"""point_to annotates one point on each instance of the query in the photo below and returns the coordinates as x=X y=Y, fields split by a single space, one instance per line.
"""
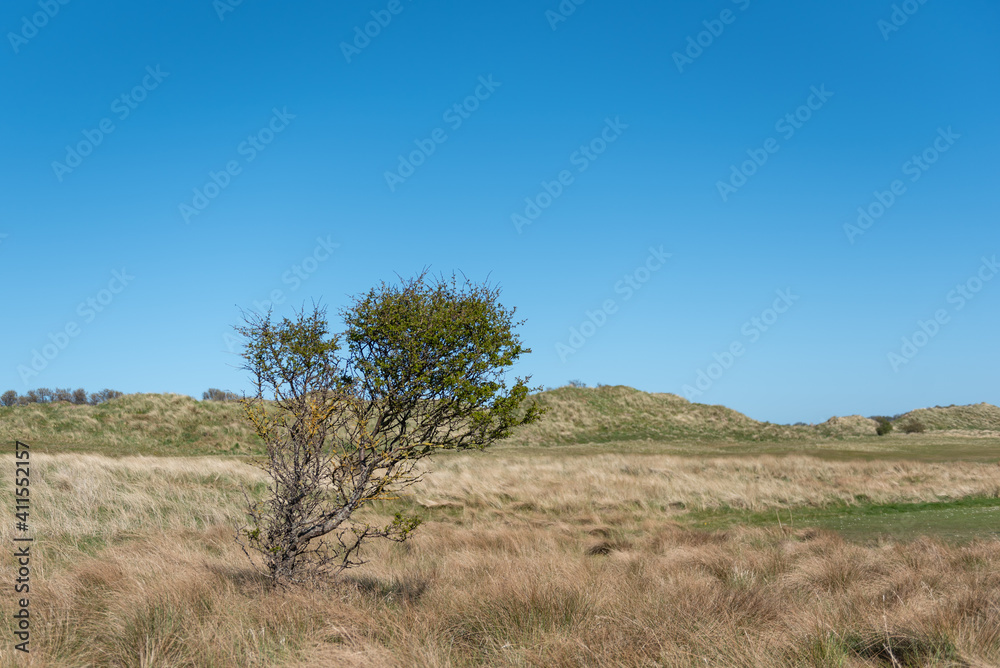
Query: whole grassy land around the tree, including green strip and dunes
x=802 y=548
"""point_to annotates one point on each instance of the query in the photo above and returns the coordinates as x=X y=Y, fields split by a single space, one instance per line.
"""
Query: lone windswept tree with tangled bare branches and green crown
x=346 y=418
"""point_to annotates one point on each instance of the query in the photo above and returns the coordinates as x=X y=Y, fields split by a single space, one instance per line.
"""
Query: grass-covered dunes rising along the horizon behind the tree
x=172 y=424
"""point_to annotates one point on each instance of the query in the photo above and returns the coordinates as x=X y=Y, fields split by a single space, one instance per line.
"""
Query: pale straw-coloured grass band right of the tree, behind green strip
x=557 y=484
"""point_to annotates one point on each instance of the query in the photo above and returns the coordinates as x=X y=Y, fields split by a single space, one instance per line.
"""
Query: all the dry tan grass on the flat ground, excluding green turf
x=542 y=561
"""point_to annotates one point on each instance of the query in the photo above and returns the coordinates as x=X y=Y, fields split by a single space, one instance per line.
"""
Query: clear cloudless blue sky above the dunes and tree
x=666 y=172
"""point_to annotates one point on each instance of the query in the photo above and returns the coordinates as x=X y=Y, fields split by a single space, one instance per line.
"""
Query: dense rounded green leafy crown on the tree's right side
x=439 y=349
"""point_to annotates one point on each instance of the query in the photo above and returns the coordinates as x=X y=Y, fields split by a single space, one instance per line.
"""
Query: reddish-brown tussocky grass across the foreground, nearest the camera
x=743 y=598
